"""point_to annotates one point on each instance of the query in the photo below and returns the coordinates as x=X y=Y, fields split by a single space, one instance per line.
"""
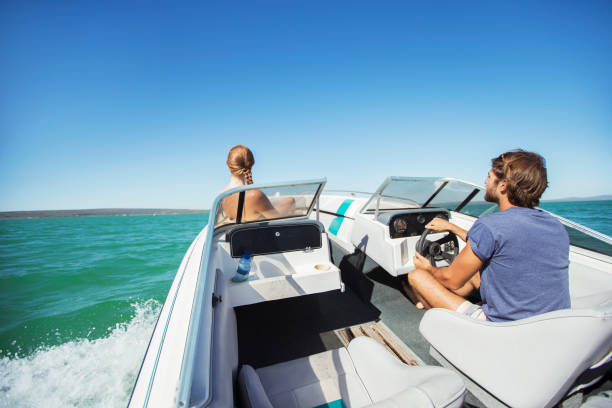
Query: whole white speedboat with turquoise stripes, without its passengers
x=322 y=321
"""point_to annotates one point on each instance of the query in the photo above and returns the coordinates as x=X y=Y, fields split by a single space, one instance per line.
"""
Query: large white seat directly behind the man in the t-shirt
x=531 y=362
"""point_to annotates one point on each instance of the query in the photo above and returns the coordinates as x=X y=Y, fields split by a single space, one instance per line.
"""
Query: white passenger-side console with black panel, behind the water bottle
x=295 y=262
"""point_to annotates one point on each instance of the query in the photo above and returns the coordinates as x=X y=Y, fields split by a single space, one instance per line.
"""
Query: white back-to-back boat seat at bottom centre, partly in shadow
x=364 y=374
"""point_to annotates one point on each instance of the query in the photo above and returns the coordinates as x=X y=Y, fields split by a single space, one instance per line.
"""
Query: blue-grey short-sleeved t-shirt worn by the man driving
x=526 y=257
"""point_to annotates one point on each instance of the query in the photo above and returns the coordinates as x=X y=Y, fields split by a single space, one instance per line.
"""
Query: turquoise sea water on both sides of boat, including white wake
x=80 y=297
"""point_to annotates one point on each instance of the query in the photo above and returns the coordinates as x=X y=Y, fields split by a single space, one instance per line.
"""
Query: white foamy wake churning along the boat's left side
x=83 y=373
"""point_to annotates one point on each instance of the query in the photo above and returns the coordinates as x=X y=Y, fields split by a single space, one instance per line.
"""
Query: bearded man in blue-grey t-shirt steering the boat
x=522 y=253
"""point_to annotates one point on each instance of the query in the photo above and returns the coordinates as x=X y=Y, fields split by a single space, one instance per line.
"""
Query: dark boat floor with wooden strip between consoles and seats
x=281 y=330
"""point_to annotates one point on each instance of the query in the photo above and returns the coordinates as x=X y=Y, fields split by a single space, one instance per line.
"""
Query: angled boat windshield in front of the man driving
x=398 y=193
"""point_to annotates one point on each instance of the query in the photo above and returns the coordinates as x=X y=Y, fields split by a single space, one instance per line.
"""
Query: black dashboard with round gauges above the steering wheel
x=411 y=223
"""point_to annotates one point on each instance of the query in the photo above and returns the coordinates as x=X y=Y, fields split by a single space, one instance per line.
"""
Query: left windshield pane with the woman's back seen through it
x=269 y=202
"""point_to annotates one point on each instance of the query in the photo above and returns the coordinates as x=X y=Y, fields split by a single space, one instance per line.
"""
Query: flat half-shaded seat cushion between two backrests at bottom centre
x=314 y=380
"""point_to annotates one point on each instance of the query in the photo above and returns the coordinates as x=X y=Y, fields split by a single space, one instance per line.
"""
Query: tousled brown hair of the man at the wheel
x=525 y=176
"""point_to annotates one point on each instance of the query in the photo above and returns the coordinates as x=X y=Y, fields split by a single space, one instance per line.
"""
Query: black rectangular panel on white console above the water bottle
x=272 y=239
